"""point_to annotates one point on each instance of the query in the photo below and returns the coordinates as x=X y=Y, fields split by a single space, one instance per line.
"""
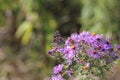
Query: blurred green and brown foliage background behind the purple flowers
x=27 y=28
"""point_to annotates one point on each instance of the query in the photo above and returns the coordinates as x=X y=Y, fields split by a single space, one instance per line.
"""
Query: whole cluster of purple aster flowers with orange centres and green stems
x=81 y=52
